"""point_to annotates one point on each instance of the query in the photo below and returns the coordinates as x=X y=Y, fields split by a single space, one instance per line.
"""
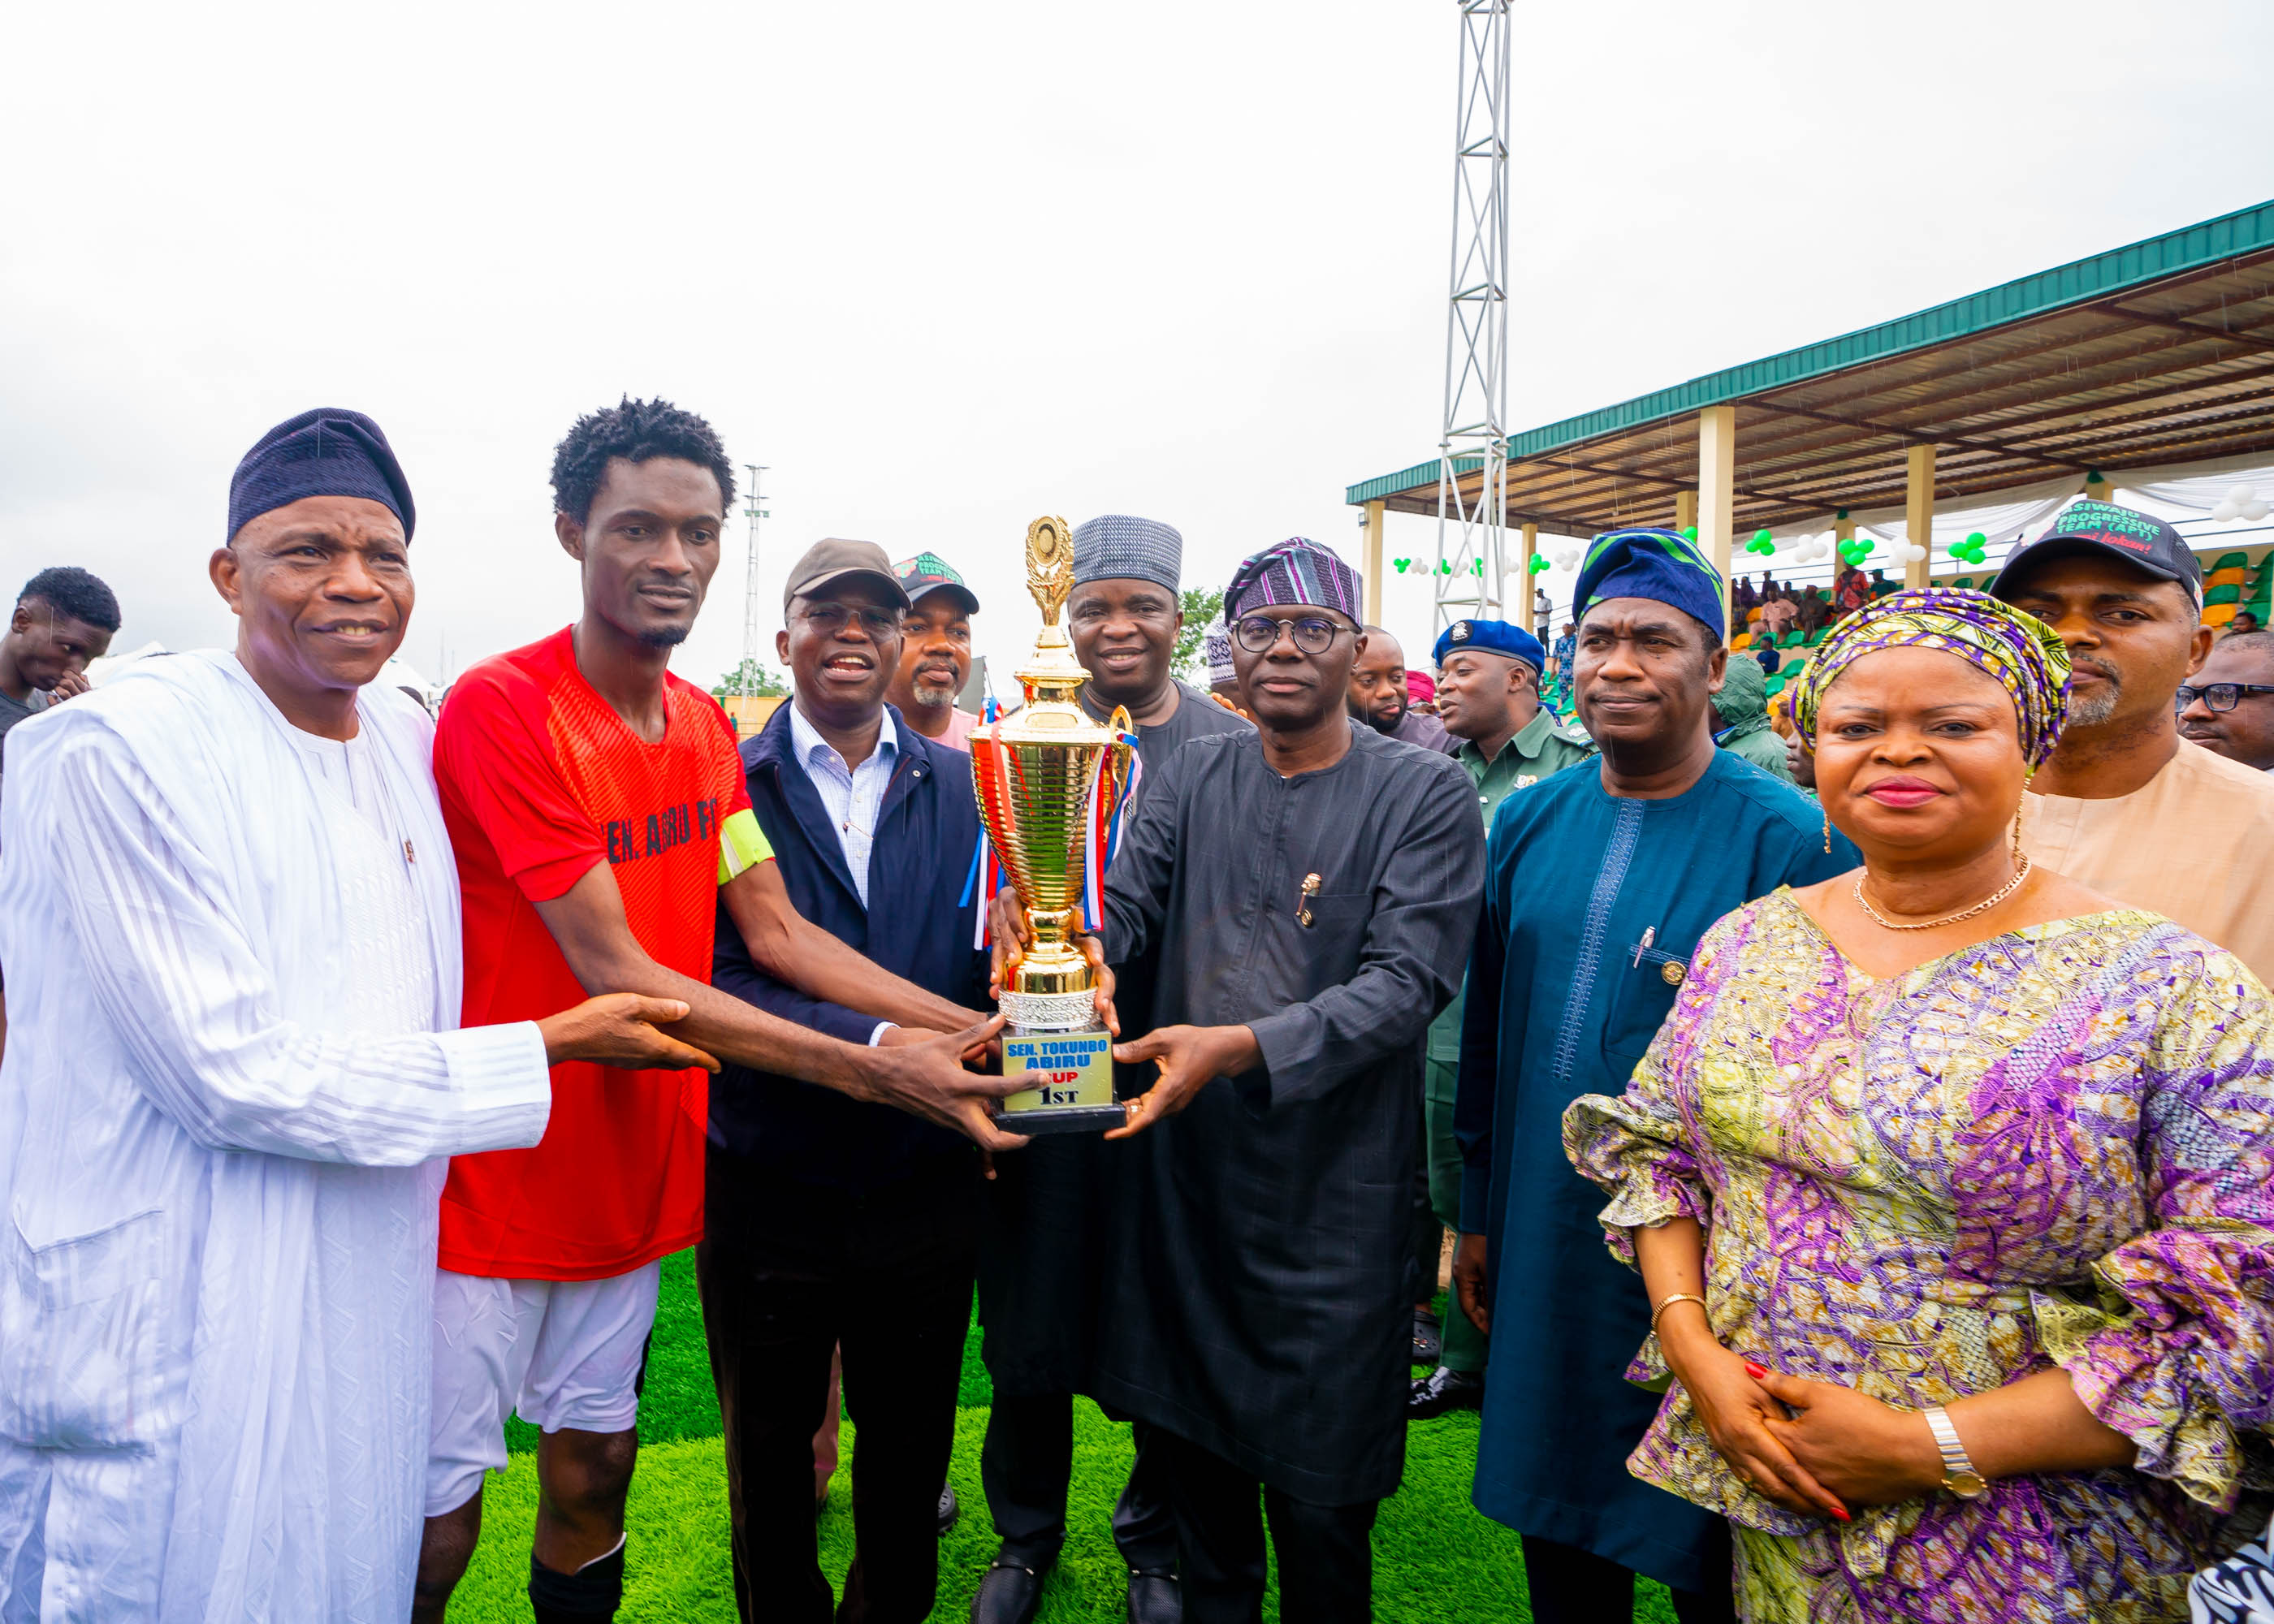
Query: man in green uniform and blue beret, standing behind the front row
x=1488 y=697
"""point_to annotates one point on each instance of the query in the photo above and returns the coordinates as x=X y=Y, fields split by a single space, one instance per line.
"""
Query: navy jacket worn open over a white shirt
x=920 y=929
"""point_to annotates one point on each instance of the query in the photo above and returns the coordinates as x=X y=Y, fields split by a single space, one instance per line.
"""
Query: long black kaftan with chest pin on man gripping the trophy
x=1261 y=1286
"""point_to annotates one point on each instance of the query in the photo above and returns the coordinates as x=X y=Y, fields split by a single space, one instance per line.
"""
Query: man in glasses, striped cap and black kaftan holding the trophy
x=1311 y=890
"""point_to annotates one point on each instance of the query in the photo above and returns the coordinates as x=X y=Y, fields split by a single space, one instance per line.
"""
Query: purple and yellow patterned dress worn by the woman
x=2048 y=1150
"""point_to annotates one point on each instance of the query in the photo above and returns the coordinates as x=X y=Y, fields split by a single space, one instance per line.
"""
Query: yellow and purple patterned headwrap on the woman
x=1991 y=636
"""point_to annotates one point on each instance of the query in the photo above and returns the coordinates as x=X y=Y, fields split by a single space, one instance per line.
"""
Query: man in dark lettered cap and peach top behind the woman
x=2130 y=804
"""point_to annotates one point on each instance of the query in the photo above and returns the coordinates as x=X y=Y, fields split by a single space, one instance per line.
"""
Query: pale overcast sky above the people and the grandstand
x=954 y=267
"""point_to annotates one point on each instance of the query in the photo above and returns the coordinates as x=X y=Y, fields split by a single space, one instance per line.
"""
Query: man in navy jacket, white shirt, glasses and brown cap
x=838 y=1223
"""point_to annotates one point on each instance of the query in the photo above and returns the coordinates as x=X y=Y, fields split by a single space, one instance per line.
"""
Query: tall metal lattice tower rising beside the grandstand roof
x=1472 y=531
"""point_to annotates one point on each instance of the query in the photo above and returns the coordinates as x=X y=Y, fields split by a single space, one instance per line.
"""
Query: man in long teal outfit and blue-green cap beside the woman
x=1600 y=884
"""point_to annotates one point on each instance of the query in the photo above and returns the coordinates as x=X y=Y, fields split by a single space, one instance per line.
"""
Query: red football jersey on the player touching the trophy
x=540 y=781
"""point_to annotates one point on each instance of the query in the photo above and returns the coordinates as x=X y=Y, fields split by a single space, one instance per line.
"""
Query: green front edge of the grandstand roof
x=2098 y=276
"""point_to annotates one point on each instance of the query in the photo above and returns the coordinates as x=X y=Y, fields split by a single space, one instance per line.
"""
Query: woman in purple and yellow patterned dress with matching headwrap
x=1950 y=1186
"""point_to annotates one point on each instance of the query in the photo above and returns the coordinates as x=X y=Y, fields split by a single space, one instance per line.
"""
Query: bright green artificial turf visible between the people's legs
x=1436 y=1559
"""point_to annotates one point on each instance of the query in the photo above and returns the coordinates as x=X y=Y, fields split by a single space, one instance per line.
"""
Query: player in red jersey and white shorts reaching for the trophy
x=601 y=827
